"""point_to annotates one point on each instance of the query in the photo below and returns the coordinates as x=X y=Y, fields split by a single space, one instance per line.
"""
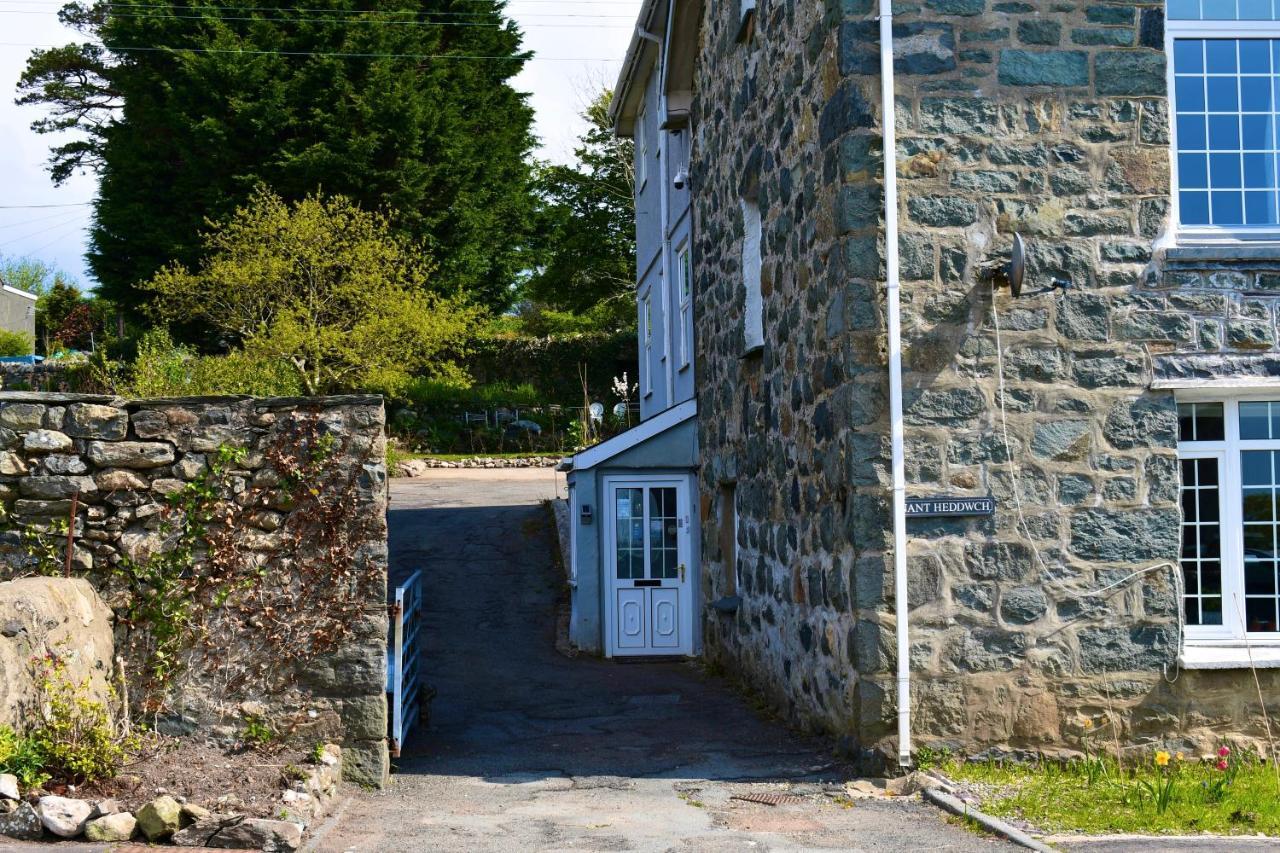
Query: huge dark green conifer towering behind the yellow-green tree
x=184 y=110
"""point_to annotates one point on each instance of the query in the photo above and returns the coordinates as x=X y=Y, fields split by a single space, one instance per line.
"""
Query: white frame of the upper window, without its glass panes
x=1210 y=235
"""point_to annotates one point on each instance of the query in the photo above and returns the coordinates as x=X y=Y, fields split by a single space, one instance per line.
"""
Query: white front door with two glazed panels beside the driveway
x=651 y=594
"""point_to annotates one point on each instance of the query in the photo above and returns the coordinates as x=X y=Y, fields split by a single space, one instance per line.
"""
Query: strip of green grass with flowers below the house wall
x=1098 y=797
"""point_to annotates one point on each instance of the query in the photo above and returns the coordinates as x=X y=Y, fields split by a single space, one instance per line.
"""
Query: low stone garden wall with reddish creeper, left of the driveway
x=243 y=545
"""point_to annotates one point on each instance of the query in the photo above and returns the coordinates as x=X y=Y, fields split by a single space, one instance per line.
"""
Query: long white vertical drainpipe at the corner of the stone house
x=895 y=384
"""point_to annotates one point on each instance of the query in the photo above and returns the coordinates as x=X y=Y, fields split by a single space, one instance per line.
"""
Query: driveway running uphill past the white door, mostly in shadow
x=529 y=750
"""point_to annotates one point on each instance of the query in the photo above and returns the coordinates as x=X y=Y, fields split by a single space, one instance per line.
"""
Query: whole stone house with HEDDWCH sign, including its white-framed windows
x=1119 y=412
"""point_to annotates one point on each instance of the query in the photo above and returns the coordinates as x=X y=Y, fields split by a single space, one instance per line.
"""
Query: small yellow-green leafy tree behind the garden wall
x=326 y=288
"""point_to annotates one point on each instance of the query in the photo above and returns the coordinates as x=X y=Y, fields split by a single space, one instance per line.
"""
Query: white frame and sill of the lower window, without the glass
x=1228 y=645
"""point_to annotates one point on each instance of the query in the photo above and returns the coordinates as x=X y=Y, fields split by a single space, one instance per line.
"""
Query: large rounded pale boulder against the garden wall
x=63 y=614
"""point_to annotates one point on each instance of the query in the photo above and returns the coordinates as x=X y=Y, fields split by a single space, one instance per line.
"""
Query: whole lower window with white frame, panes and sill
x=1229 y=459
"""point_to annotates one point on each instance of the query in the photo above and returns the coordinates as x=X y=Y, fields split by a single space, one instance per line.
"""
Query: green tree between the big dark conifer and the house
x=587 y=230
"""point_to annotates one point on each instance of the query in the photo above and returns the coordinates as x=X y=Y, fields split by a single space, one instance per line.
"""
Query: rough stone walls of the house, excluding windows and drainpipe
x=1044 y=120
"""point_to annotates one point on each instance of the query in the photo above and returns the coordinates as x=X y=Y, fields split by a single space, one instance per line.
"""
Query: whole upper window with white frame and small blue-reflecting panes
x=1223 y=71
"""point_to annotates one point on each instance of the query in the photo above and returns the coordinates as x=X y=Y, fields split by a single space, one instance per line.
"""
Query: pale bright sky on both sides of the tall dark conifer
x=578 y=51
